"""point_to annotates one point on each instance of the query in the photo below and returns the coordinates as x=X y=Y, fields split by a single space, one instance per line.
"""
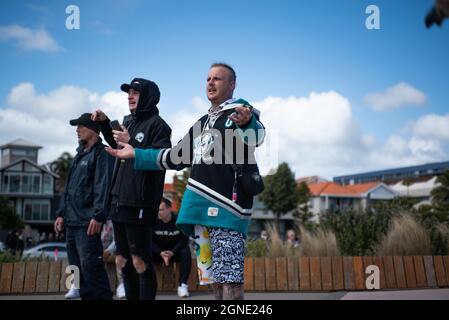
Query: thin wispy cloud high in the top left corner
x=29 y=39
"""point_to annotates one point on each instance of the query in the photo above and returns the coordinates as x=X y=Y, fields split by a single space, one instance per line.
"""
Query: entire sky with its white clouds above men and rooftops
x=336 y=98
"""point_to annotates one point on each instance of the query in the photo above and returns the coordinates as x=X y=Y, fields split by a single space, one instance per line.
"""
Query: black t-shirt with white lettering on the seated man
x=166 y=236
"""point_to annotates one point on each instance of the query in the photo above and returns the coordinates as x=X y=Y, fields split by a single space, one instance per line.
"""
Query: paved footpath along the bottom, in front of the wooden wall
x=426 y=294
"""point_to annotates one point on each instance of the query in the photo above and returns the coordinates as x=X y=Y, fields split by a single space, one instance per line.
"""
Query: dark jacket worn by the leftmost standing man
x=87 y=186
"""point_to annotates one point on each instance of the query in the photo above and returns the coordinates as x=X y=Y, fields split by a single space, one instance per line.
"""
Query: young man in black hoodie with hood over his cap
x=135 y=195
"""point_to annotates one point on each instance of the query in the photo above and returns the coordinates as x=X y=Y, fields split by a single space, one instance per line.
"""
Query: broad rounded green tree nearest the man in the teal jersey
x=280 y=194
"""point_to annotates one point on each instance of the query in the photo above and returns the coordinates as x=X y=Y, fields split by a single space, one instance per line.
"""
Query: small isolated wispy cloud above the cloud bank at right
x=395 y=97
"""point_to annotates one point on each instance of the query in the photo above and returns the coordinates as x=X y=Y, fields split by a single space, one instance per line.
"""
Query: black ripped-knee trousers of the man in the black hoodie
x=135 y=240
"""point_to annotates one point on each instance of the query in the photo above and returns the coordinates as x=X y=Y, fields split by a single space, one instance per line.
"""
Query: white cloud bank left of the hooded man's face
x=43 y=118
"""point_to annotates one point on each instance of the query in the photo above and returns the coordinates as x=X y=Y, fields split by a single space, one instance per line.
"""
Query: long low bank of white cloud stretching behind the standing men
x=316 y=134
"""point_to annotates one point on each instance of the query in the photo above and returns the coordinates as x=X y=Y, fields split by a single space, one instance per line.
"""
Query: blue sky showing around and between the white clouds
x=278 y=48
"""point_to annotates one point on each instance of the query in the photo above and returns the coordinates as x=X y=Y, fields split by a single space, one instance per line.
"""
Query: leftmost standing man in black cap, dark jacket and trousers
x=83 y=210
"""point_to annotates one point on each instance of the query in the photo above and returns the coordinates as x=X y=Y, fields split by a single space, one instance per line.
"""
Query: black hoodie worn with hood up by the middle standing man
x=133 y=188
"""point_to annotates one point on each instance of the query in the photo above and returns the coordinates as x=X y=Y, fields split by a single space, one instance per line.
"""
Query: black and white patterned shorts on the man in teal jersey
x=228 y=255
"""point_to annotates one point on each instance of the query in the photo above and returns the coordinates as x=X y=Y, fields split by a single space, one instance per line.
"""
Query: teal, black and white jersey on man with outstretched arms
x=208 y=199
